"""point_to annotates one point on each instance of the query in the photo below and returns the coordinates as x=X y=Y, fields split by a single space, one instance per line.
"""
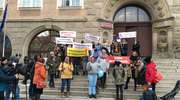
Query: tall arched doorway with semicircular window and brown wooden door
x=134 y=18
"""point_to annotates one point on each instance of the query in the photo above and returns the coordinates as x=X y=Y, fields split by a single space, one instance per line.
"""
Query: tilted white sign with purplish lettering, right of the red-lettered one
x=91 y=37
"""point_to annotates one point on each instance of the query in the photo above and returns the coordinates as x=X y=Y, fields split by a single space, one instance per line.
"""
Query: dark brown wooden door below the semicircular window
x=144 y=35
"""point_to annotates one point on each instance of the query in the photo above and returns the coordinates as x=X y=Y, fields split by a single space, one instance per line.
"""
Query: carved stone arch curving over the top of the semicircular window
x=157 y=8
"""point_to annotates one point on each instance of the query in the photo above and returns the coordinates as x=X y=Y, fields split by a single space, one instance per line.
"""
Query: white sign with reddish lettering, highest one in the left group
x=69 y=34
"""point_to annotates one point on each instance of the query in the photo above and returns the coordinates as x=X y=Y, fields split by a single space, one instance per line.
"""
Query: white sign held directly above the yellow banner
x=83 y=45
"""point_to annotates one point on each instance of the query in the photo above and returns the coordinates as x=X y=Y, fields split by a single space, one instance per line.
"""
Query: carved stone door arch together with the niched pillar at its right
x=161 y=20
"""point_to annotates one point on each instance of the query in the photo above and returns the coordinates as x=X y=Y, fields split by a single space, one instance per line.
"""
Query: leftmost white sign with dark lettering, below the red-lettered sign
x=60 y=40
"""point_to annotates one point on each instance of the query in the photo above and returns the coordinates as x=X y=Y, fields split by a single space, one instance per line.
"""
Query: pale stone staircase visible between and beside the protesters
x=168 y=67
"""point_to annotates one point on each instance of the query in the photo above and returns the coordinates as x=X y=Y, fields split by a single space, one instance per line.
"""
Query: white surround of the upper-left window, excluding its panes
x=21 y=7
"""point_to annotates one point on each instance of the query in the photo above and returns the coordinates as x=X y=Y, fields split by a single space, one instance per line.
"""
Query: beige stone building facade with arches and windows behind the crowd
x=157 y=22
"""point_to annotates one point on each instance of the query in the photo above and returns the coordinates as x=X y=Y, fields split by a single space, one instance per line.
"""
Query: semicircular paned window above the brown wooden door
x=132 y=14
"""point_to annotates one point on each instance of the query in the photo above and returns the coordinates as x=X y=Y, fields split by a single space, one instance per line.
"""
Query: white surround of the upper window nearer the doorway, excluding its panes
x=60 y=6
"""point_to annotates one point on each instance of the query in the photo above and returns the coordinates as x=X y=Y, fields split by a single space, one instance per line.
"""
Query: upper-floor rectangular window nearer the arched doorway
x=70 y=3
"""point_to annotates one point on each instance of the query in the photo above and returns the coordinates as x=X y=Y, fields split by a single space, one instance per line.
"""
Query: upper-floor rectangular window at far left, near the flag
x=30 y=3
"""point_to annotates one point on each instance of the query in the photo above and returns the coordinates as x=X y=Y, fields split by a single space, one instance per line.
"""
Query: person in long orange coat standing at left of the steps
x=39 y=79
